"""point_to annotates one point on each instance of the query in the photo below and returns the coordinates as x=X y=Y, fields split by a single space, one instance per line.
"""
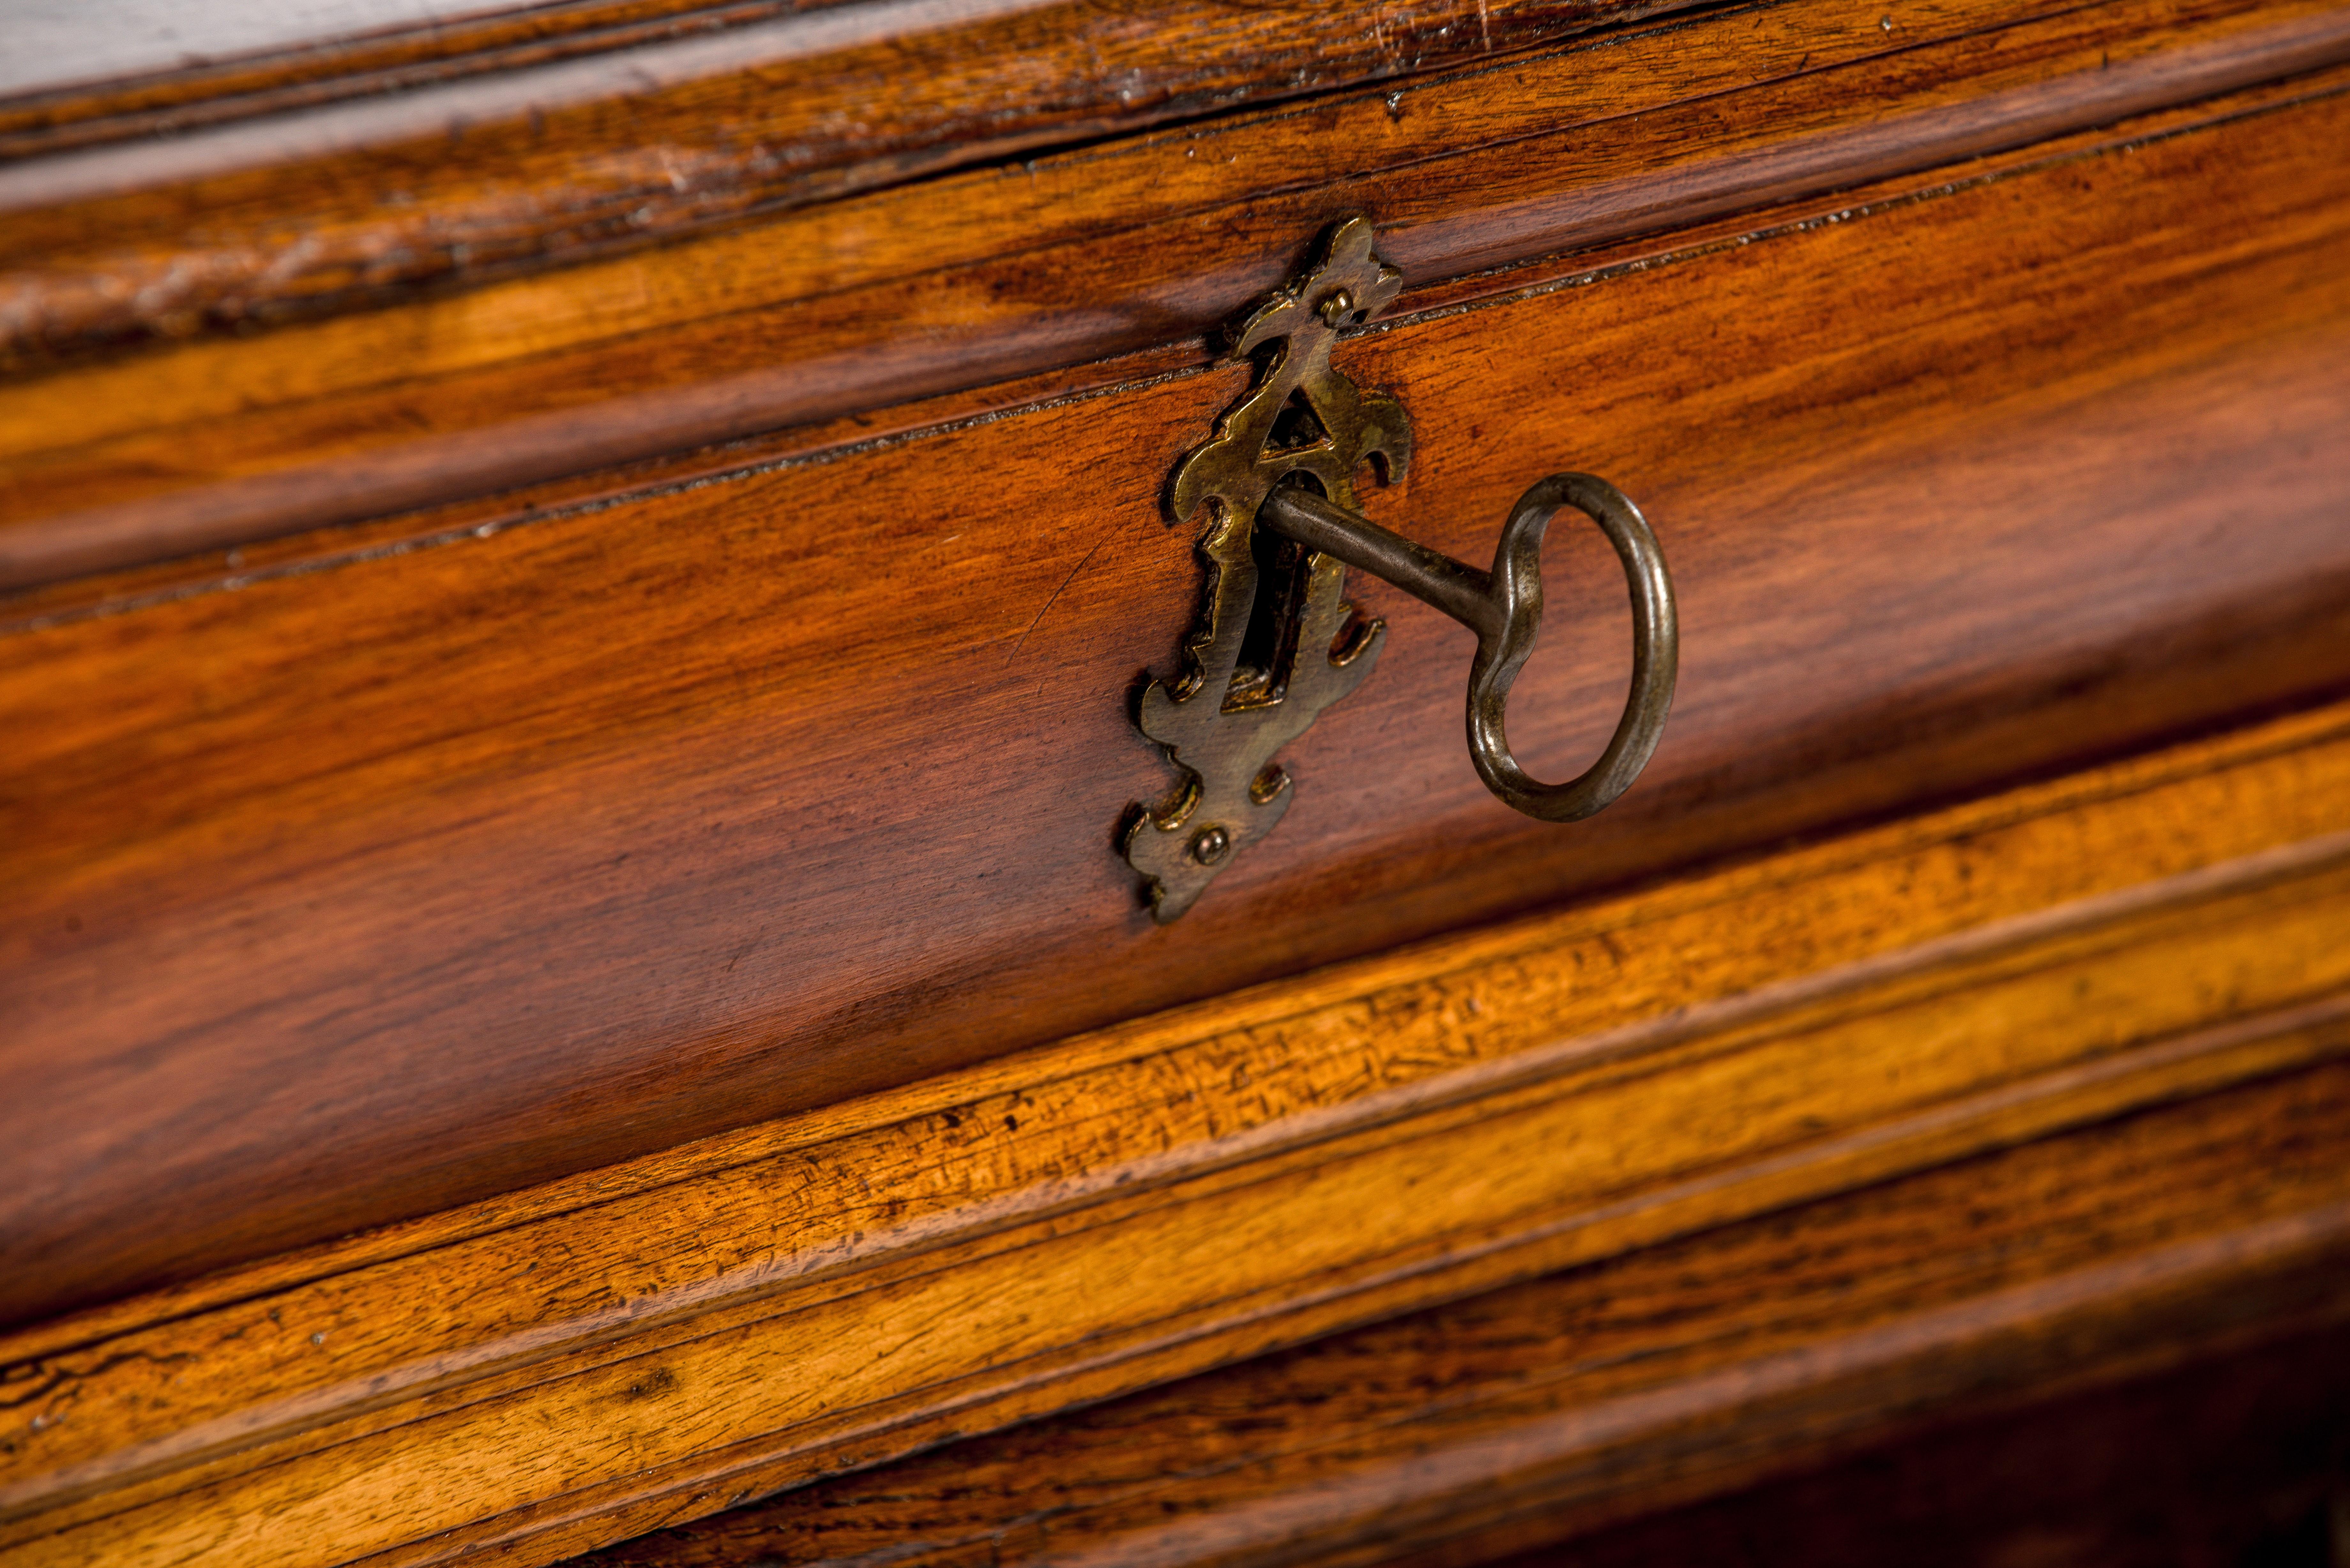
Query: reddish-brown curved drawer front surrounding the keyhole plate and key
x=375 y=883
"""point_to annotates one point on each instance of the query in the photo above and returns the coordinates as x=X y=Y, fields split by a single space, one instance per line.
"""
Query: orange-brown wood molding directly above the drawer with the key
x=1073 y=260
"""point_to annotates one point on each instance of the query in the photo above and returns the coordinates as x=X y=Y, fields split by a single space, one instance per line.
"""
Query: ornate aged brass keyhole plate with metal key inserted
x=1277 y=643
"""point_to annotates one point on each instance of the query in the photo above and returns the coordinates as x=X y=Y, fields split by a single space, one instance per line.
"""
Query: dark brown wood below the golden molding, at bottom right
x=1658 y=1379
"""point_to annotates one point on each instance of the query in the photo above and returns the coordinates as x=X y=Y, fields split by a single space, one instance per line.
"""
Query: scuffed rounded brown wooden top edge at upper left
x=445 y=170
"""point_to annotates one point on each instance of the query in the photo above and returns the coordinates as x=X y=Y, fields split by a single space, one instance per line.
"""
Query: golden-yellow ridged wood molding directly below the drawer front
x=575 y=1365
